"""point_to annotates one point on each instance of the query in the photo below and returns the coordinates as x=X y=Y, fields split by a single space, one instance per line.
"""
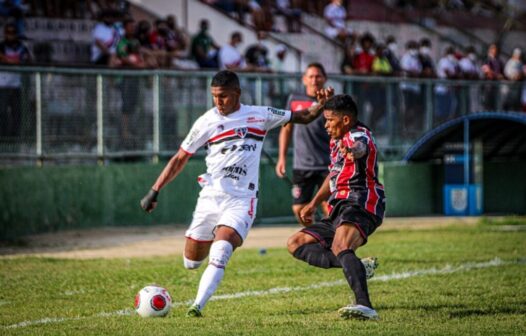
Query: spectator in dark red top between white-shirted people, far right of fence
x=492 y=69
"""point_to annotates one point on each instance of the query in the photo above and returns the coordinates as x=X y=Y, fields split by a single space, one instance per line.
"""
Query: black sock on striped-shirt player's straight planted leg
x=355 y=274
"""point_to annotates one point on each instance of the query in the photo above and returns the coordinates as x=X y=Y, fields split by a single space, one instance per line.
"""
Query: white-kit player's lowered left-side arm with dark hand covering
x=170 y=171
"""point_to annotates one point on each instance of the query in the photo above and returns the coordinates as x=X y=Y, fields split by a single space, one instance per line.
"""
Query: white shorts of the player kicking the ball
x=216 y=208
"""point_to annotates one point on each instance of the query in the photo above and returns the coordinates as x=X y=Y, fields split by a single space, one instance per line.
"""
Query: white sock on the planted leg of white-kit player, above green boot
x=220 y=253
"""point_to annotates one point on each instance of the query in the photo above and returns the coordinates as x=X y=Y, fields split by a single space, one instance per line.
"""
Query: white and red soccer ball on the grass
x=153 y=301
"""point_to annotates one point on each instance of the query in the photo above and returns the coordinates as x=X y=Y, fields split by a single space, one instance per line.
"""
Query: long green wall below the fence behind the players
x=48 y=199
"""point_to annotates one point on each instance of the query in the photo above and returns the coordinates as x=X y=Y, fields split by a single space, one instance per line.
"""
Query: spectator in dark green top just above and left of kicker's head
x=204 y=49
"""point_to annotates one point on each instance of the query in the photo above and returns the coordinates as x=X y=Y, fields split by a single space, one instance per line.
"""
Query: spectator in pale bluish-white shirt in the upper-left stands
x=104 y=40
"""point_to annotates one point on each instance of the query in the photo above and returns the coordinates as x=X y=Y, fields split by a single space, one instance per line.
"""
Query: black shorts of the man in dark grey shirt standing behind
x=306 y=182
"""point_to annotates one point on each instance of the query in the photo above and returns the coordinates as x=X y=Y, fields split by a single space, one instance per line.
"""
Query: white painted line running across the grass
x=497 y=262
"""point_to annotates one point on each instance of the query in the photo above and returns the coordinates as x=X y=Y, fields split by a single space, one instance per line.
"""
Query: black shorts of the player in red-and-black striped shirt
x=344 y=212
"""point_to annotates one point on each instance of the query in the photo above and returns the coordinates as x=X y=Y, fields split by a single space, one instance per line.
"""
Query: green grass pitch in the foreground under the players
x=444 y=281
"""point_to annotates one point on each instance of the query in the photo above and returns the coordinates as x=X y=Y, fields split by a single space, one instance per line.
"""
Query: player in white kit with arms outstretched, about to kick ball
x=233 y=134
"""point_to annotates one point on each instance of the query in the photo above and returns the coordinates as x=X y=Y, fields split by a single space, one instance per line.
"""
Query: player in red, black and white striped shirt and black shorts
x=356 y=200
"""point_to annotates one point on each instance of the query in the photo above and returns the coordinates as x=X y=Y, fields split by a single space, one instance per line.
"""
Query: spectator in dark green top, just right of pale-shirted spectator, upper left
x=129 y=56
